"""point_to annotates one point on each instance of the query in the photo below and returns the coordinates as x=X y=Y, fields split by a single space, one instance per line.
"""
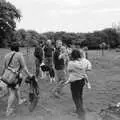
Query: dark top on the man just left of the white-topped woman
x=59 y=63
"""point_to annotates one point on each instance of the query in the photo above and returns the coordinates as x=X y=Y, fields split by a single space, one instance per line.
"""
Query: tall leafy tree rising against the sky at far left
x=8 y=16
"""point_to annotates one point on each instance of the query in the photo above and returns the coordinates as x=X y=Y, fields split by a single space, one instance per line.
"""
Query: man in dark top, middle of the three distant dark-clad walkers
x=48 y=54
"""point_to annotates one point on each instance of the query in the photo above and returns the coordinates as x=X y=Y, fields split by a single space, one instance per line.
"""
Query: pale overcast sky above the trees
x=67 y=15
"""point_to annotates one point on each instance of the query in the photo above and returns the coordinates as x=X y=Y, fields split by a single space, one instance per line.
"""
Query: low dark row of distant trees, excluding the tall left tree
x=109 y=36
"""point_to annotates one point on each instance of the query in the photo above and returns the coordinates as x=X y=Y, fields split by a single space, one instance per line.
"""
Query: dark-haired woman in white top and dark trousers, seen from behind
x=77 y=68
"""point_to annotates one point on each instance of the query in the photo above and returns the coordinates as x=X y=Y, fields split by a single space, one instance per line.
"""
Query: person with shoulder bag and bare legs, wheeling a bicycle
x=14 y=63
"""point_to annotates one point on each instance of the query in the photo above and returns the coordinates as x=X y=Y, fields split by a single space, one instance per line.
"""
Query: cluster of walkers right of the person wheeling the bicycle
x=70 y=65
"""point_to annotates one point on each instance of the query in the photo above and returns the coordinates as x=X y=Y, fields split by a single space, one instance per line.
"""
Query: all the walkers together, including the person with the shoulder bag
x=69 y=65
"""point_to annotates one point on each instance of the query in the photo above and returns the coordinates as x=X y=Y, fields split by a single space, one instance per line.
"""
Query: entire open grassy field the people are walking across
x=105 y=81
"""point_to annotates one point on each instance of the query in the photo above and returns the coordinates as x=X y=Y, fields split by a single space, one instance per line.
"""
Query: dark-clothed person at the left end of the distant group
x=38 y=53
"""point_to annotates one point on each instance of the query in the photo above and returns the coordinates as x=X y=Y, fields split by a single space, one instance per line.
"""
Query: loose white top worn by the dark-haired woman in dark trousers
x=77 y=69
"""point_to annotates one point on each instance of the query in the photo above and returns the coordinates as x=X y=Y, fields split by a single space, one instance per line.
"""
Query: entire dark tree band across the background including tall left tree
x=8 y=33
